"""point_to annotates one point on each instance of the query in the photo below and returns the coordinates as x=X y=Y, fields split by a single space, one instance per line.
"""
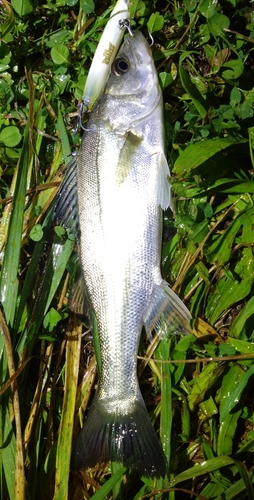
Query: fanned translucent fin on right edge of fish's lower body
x=166 y=309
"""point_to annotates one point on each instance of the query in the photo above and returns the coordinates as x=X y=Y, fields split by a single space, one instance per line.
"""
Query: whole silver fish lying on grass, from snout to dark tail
x=121 y=180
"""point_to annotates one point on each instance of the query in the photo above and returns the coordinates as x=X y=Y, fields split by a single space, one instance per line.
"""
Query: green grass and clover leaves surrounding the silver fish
x=198 y=388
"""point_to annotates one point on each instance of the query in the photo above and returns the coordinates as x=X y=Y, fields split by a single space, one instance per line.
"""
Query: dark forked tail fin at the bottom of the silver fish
x=126 y=438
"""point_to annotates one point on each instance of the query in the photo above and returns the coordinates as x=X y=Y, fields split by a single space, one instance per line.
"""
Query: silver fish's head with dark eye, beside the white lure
x=132 y=91
